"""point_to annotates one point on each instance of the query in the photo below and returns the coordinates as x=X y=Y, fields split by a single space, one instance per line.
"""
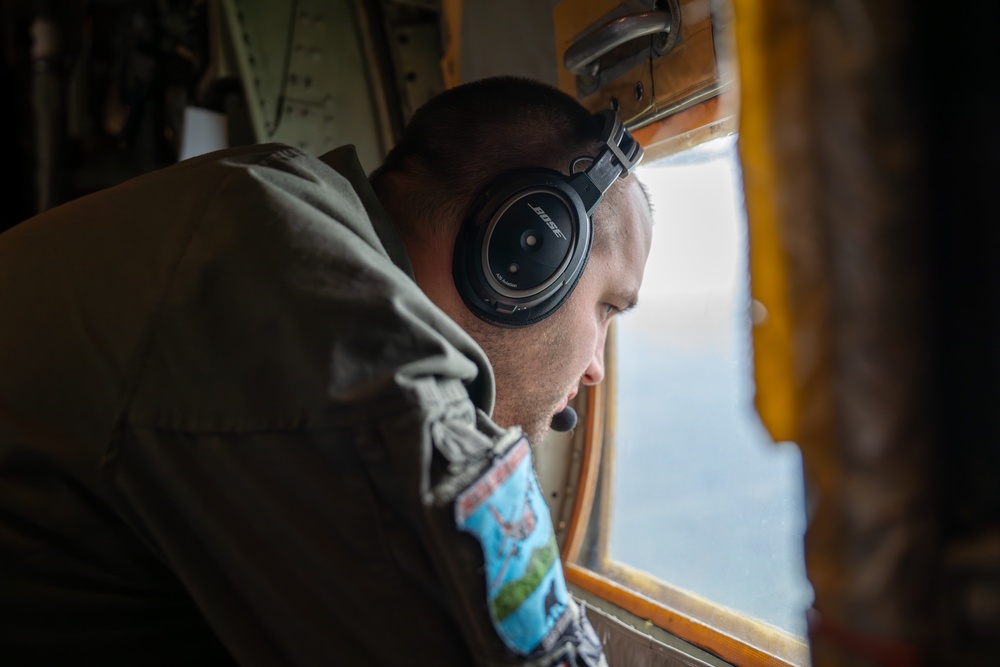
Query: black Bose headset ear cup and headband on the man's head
x=524 y=247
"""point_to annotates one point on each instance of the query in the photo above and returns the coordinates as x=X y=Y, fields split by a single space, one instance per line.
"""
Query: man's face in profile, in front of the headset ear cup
x=539 y=368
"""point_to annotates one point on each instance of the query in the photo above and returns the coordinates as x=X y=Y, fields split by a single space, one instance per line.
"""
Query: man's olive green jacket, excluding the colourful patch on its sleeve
x=231 y=427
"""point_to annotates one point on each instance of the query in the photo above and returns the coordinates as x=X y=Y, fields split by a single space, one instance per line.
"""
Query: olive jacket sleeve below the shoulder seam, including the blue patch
x=416 y=532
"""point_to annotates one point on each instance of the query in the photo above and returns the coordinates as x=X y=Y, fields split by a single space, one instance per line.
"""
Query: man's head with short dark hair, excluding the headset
x=454 y=147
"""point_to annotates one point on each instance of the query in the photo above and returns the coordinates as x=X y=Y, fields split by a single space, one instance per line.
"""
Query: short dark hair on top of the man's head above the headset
x=467 y=136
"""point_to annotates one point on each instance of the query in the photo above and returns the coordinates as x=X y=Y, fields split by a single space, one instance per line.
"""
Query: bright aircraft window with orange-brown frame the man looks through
x=697 y=507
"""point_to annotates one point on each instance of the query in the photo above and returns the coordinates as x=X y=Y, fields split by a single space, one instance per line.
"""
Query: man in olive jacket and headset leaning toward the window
x=244 y=400
